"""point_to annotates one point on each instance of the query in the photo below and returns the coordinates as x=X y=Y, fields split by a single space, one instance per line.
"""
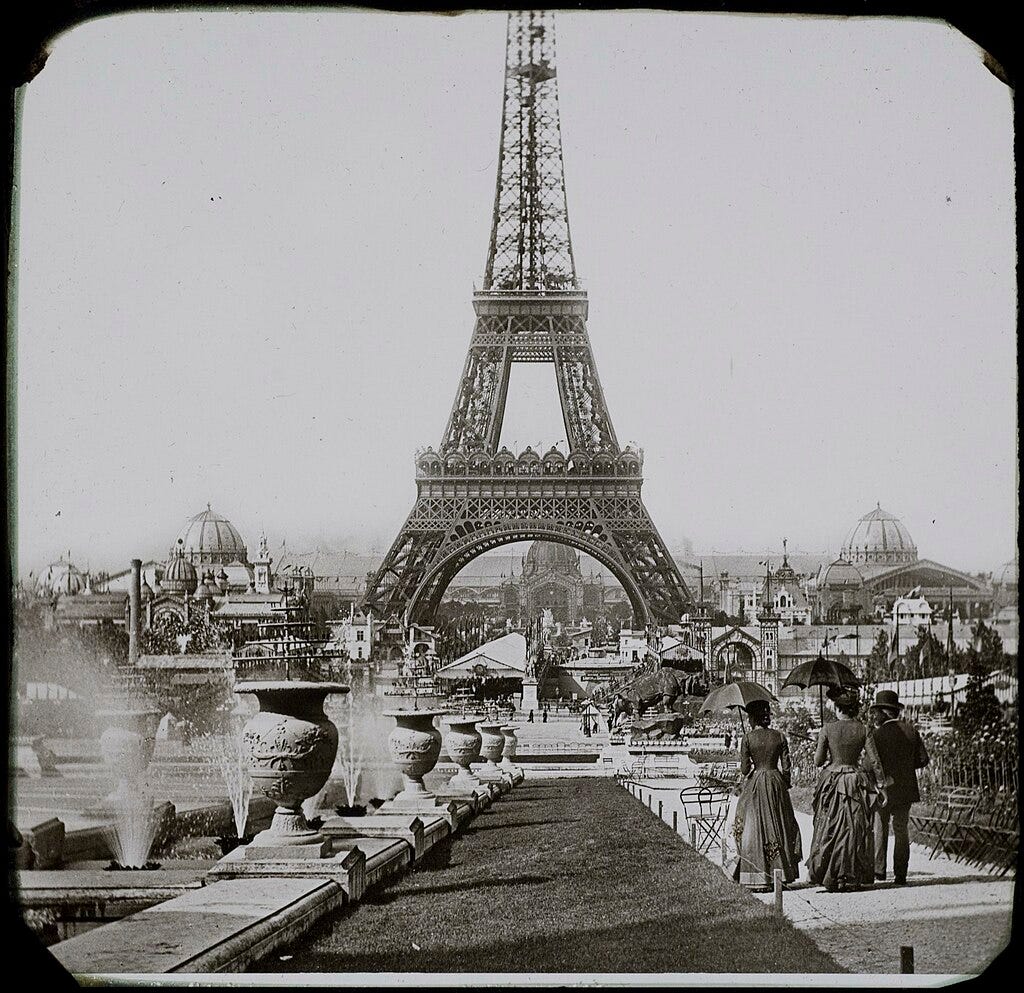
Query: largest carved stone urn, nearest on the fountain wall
x=291 y=745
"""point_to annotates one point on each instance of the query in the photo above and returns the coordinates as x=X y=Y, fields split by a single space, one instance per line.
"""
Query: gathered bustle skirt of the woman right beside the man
x=843 y=847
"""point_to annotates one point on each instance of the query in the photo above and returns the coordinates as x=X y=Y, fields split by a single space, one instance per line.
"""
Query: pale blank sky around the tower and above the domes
x=249 y=243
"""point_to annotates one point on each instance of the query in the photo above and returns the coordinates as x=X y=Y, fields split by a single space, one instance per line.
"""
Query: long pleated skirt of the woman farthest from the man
x=766 y=832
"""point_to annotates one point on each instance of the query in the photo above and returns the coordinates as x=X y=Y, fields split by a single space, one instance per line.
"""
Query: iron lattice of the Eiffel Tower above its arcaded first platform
x=532 y=309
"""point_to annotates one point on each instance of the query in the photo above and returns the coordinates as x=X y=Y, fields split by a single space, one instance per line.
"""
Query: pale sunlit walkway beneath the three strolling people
x=956 y=918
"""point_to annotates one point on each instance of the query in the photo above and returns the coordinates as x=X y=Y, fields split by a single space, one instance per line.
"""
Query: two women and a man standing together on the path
x=865 y=792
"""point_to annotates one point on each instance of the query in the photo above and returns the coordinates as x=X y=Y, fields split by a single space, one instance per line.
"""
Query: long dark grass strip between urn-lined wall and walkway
x=563 y=876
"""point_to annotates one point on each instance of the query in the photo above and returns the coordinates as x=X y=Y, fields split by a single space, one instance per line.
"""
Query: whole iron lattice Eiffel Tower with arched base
x=472 y=497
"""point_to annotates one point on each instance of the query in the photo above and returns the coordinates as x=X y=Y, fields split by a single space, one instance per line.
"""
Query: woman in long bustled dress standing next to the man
x=842 y=856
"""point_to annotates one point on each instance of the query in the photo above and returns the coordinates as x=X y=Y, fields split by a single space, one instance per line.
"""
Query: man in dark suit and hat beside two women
x=897 y=753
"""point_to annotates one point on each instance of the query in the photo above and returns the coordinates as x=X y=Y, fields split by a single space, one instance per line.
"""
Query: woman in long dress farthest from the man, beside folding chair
x=765 y=828
